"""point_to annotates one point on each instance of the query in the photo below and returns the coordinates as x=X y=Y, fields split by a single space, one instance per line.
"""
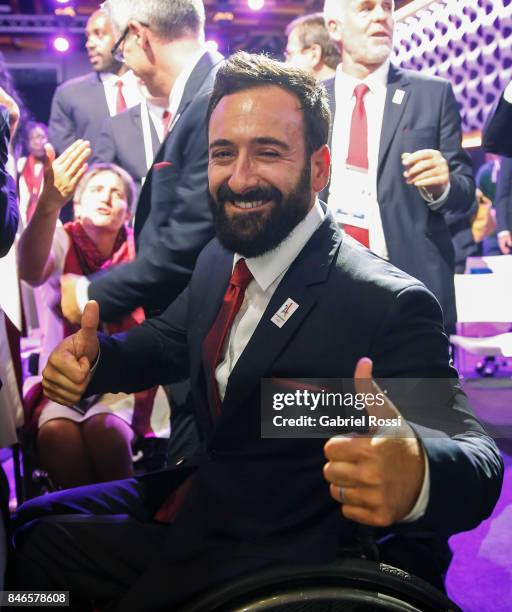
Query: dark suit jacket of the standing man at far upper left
x=79 y=107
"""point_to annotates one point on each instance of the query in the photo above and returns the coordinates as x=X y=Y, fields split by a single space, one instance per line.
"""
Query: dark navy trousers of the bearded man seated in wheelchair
x=101 y=543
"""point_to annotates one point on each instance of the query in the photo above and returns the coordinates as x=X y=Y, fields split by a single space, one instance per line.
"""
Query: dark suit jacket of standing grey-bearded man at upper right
x=417 y=238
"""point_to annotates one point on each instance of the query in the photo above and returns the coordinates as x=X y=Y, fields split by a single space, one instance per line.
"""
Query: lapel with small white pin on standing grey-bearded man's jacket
x=393 y=110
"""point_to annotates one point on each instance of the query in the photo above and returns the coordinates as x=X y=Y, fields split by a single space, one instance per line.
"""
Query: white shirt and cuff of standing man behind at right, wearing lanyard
x=352 y=193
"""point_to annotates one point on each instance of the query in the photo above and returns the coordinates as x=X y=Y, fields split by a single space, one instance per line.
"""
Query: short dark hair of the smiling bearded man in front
x=244 y=71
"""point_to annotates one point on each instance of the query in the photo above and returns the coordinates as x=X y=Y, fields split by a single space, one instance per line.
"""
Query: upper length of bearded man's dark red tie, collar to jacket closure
x=214 y=341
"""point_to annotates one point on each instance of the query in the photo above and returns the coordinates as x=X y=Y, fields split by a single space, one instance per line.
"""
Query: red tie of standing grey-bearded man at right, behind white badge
x=357 y=157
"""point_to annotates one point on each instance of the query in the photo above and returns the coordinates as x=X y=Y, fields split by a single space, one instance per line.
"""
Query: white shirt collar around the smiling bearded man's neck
x=267 y=268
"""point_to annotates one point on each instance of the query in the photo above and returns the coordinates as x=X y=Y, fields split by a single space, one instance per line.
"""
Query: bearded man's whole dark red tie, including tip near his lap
x=212 y=352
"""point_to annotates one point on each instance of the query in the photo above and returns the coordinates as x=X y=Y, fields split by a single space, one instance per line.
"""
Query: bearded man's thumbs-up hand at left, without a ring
x=68 y=370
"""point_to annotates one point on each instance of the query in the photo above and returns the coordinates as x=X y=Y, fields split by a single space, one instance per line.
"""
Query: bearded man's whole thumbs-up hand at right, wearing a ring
x=377 y=478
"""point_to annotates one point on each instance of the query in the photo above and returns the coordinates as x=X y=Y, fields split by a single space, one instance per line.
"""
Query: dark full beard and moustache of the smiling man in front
x=255 y=233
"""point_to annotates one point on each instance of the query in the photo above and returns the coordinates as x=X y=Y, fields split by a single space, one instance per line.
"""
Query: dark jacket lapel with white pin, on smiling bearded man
x=268 y=341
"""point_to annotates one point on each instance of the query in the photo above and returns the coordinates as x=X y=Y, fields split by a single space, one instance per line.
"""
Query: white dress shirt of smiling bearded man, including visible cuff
x=268 y=270
